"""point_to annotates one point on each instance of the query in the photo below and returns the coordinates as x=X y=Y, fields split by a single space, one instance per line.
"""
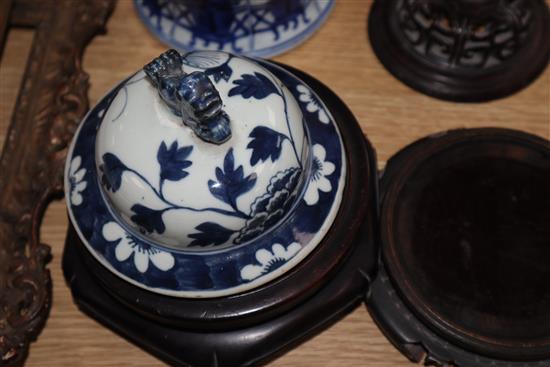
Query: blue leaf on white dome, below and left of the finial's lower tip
x=173 y=161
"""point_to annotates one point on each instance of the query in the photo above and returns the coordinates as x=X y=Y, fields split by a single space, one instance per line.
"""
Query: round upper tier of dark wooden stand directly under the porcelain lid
x=298 y=283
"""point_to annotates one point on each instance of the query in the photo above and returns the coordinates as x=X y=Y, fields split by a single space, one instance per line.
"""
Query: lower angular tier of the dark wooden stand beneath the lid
x=247 y=346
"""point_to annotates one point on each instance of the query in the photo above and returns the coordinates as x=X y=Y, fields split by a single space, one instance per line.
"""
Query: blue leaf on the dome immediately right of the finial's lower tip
x=266 y=143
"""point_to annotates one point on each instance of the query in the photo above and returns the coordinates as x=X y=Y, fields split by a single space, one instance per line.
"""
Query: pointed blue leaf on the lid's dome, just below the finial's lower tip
x=231 y=182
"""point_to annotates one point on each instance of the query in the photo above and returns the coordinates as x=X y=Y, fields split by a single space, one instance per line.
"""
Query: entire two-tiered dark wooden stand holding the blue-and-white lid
x=253 y=327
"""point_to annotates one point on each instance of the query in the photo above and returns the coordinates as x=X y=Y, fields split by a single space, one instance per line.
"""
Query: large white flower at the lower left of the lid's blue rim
x=128 y=245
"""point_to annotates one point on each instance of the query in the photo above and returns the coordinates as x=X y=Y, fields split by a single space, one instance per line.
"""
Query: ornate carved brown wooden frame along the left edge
x=51 y=101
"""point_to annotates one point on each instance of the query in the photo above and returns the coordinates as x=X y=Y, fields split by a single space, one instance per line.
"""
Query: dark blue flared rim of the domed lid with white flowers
x=227 y=271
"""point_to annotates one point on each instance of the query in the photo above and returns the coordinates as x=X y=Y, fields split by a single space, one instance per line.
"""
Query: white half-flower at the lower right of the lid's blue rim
x=270 y=260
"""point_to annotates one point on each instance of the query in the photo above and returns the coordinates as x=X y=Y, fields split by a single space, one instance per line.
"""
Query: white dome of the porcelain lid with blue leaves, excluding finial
x=138 y=127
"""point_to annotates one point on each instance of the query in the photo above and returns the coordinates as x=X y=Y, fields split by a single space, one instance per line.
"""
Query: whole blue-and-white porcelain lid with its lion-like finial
x=205 y=175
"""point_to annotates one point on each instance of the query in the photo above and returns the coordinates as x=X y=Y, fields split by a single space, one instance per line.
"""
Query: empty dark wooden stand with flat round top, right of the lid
x=464 y=245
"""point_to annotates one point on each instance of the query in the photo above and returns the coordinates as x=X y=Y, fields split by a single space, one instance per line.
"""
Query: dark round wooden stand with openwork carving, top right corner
x=459 y=57
